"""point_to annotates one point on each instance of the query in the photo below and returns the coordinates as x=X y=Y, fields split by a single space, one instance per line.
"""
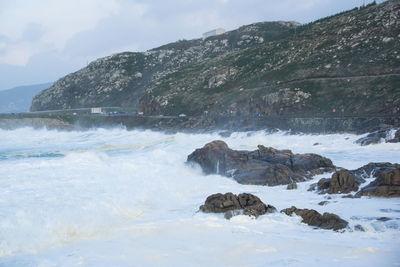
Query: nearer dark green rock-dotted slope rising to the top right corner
x=302 y=73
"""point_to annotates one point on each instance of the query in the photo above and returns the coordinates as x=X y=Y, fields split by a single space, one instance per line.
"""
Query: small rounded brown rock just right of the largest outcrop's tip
x=342 y=182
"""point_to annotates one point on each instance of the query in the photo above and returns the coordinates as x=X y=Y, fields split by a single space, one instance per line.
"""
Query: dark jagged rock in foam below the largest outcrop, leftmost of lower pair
x=231 y=204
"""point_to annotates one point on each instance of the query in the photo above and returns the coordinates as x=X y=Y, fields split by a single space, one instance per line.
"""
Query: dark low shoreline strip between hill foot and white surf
x=296 y=124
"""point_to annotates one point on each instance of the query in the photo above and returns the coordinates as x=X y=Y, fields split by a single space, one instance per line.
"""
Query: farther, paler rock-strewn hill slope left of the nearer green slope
x=121 y=79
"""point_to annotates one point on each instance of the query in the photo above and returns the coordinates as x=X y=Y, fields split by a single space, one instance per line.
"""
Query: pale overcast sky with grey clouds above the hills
x=43 y=40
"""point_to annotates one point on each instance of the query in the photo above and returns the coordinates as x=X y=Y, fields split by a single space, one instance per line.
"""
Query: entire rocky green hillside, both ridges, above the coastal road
x=348 y=63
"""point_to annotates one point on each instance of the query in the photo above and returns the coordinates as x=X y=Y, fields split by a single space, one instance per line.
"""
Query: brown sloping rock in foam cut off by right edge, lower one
x=387 y=184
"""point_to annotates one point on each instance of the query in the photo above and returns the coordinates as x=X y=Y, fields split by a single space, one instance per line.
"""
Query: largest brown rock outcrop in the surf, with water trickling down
x=265 y=166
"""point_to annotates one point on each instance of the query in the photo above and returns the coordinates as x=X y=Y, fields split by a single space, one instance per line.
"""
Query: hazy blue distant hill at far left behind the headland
x=19 y=99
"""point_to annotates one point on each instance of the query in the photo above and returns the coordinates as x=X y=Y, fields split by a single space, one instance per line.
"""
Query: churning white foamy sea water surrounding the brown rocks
x=112 y=197
